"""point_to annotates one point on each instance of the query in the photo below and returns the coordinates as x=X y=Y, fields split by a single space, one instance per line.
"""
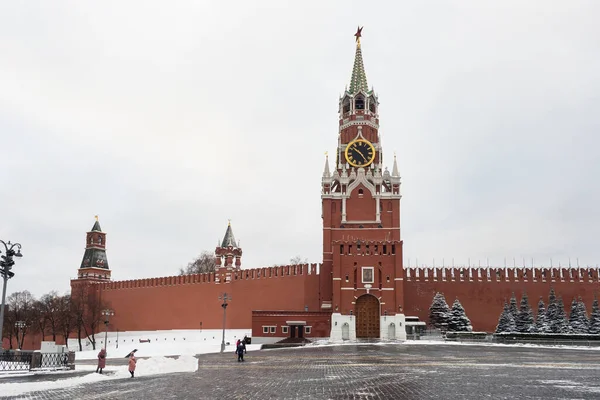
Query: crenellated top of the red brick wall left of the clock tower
x=228 y=276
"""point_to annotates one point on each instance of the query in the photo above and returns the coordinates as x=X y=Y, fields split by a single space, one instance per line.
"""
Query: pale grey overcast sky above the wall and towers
x=169 y=118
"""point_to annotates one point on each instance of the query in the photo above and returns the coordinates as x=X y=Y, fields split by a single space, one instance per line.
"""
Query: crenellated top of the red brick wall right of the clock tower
x=501 y=274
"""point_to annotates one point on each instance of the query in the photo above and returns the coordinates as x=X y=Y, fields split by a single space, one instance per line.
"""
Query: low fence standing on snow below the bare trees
x=25 y=361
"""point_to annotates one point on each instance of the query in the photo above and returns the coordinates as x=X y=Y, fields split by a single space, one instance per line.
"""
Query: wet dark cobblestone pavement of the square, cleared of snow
x=385 y=371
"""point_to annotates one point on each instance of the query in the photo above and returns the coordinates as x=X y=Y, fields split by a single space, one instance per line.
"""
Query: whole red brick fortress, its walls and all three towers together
x=361 y=288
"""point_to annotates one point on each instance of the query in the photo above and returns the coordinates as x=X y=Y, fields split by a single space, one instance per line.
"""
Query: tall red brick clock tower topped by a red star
x=362 y=274
